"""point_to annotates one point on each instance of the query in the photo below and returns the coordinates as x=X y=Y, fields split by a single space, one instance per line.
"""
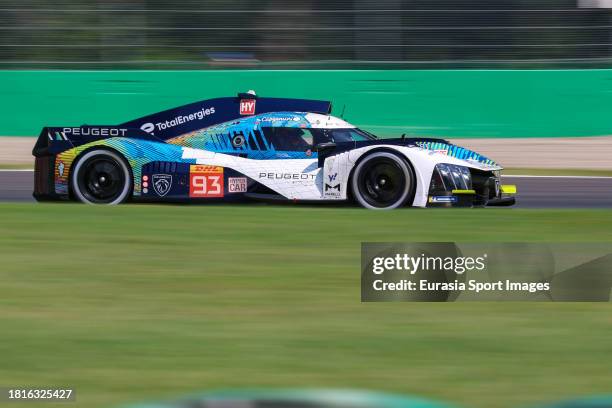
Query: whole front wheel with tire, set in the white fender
x=382 y=181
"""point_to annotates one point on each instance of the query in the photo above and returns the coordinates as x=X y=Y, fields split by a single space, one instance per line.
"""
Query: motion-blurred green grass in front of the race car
x=137 y=302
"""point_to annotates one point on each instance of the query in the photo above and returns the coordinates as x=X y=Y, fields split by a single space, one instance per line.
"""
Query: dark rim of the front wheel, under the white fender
x=382 y=182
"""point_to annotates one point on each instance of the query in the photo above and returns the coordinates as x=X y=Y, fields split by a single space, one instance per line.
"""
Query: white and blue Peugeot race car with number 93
x=250 y=148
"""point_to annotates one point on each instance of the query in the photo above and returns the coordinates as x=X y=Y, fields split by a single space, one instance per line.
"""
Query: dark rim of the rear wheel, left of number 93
x=101 y=179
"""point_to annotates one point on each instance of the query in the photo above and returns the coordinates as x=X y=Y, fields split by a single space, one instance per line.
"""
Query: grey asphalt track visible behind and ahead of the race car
x=533 y=191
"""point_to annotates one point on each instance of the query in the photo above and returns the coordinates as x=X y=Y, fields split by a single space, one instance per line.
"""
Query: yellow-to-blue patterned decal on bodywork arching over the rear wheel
x=138 y=152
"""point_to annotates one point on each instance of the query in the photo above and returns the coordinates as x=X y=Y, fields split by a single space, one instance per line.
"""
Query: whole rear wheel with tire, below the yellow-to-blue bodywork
x=101 y=177
